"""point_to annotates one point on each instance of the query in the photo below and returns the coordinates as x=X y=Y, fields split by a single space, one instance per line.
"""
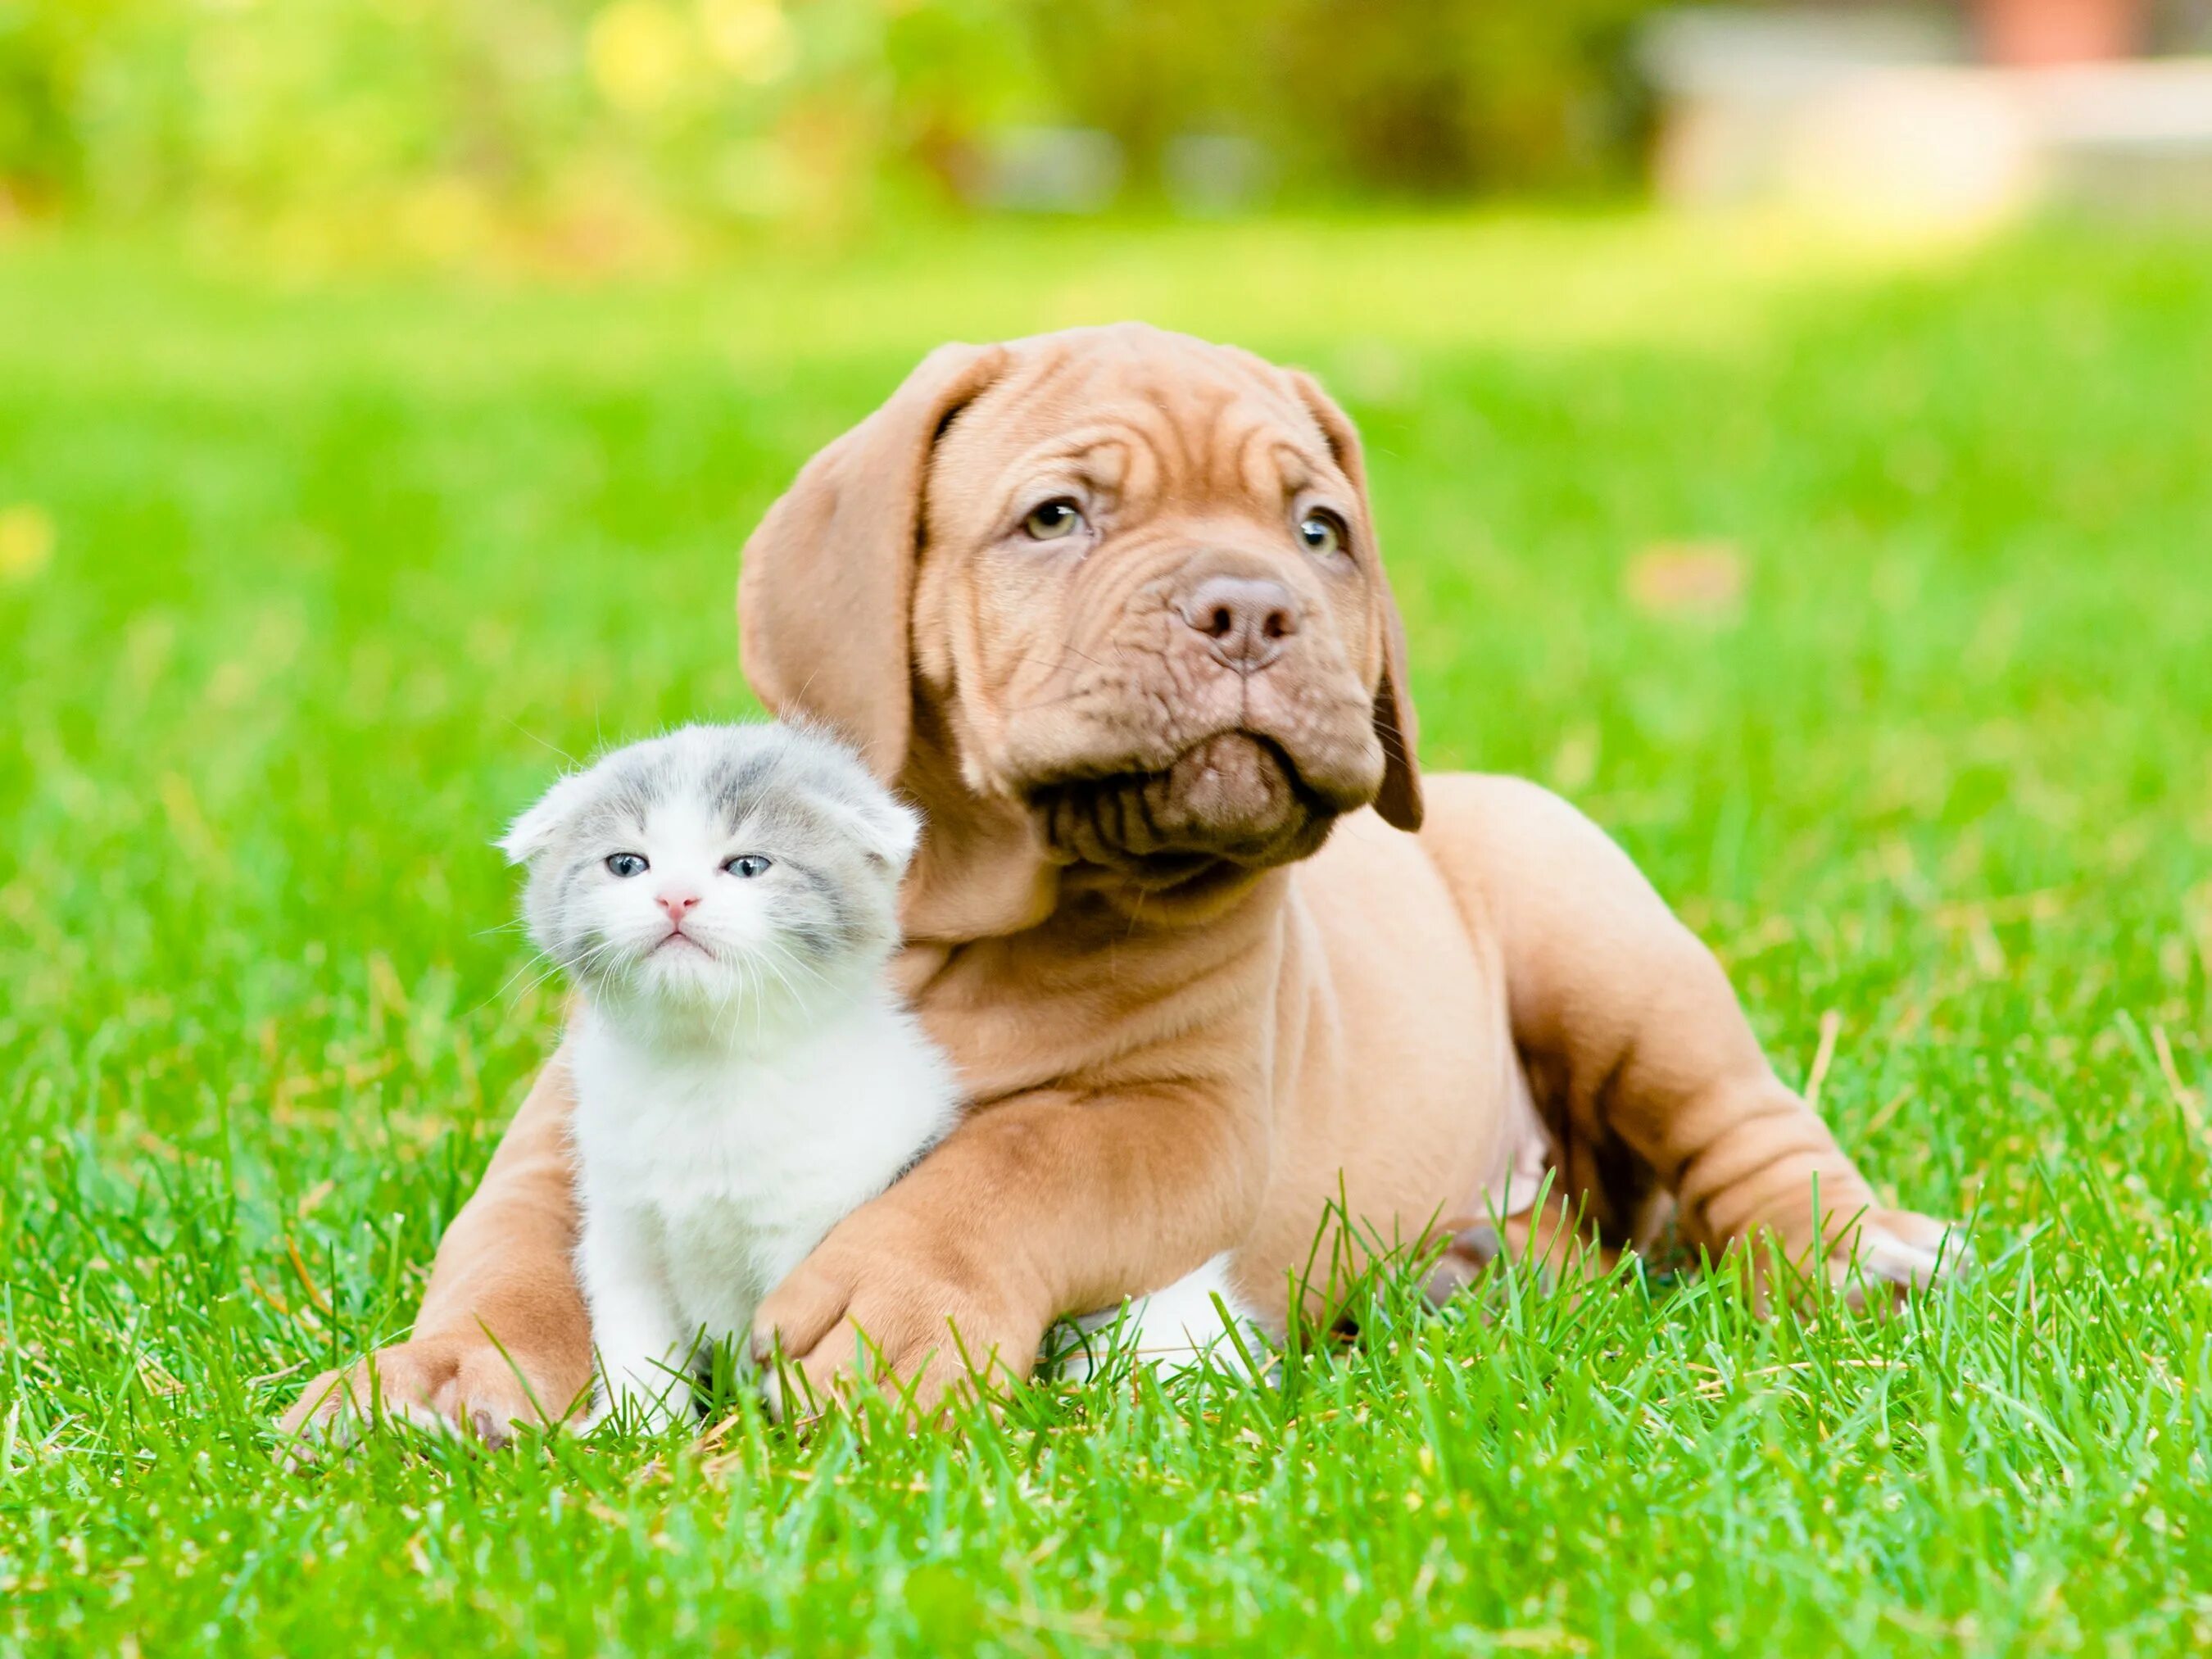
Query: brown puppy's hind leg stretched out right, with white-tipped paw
x=1649 y=1070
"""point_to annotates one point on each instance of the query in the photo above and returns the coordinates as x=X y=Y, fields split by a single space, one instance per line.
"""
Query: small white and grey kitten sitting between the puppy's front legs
x=724 y=901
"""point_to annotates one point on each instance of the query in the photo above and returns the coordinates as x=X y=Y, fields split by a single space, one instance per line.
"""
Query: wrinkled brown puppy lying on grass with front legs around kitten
x=1109 y=607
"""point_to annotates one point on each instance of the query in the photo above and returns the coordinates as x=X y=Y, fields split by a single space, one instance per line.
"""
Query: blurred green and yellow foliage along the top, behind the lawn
x=592 y=129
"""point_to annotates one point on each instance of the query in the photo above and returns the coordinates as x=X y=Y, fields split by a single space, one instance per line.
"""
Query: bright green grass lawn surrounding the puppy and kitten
x=333 y=572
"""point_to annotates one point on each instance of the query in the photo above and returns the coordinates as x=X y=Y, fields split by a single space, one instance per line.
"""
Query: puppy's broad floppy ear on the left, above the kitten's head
x=828 y=578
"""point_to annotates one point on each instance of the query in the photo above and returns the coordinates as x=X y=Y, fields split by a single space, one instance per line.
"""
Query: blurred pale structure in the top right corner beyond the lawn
x=1879 y=116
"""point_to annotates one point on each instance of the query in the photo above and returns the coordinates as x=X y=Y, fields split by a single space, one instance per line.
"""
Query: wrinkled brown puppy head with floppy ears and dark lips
x=1125 y=581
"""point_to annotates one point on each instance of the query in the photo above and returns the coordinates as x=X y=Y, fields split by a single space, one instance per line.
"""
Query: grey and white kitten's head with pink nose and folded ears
x=716 y=866
